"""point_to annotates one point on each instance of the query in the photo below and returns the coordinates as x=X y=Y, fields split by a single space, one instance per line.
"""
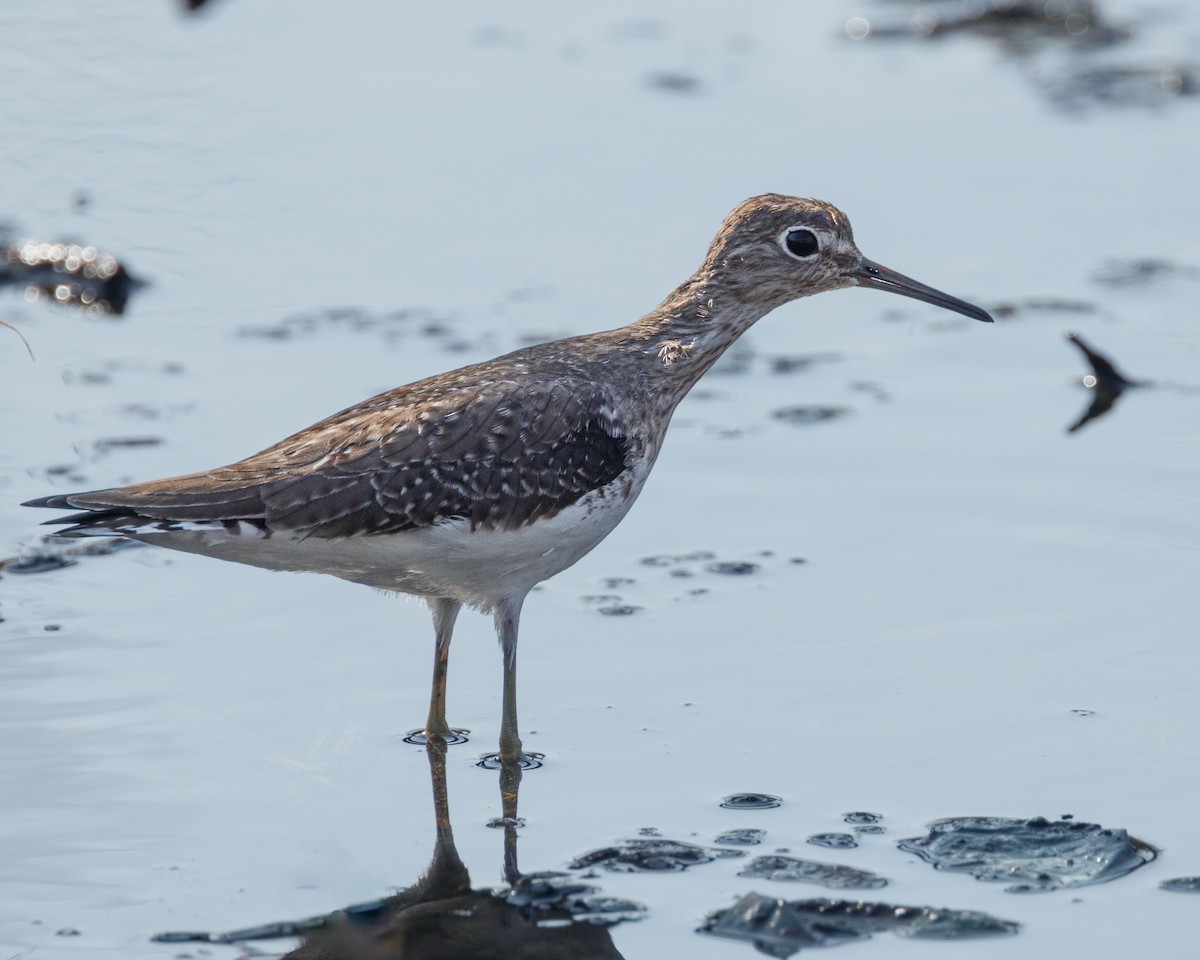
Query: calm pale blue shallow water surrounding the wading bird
x=937 y=603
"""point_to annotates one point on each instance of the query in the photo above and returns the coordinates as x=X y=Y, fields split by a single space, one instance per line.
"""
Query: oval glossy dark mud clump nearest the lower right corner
x=1041 y=855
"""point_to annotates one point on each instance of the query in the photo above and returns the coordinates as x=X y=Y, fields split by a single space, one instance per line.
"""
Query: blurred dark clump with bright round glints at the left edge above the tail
x=70 y=274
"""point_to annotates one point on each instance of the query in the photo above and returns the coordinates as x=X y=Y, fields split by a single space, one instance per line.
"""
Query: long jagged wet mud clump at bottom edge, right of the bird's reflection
x=782 y=928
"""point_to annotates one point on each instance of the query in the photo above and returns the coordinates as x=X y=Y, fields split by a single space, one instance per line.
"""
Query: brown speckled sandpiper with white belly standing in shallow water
x=473 y=487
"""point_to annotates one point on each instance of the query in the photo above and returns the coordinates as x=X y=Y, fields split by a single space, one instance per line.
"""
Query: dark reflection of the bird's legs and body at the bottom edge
x=440 y=917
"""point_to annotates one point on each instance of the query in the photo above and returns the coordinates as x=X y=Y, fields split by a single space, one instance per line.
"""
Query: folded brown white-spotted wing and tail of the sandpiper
x=500 y=454
